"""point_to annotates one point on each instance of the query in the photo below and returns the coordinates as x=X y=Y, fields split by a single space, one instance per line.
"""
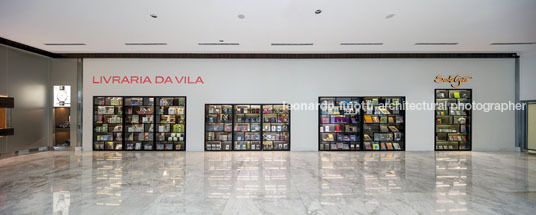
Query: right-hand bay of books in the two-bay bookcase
x=383 y=124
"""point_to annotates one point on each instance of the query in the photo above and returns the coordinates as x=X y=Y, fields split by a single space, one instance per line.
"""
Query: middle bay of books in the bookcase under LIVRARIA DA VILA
x=139 y=123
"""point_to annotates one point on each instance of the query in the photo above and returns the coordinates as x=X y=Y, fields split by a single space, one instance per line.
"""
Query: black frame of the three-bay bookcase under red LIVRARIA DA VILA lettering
x=124 y=115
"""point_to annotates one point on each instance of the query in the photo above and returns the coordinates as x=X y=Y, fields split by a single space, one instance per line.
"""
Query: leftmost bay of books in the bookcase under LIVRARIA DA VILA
x=108 y=123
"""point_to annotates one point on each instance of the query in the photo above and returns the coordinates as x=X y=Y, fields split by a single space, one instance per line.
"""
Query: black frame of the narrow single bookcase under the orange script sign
x=469 y=117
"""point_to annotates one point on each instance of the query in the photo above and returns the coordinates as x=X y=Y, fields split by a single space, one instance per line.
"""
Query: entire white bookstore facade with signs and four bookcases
x=253 y=104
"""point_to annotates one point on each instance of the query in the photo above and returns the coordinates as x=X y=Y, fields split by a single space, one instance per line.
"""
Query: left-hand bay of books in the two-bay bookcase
x=340 y=124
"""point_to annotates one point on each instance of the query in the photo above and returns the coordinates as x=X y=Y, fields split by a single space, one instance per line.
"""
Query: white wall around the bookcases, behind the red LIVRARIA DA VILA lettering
x=303 y=80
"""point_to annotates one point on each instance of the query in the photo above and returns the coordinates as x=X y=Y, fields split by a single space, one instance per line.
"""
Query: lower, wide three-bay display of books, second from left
x=247 y=127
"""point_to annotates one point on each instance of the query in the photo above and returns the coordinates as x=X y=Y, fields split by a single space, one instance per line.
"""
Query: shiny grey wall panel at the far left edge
x=25 y=76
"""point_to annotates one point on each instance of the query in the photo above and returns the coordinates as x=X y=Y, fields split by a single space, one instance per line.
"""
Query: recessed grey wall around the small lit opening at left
x=64 y=72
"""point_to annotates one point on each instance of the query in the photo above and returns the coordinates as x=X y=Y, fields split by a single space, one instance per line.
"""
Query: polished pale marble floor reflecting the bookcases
x=65 y=182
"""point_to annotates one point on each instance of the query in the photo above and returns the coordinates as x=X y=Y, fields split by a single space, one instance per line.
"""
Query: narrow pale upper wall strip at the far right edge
x=527 y=70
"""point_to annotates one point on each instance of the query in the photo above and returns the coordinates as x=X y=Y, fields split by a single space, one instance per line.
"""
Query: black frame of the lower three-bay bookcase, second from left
x=233 y=114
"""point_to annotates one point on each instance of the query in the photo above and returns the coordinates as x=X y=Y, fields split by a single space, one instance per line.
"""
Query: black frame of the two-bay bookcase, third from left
x=402 y=112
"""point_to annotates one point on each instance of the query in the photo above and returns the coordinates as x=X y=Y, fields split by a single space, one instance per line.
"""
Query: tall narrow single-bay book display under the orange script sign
x=453 y=119
